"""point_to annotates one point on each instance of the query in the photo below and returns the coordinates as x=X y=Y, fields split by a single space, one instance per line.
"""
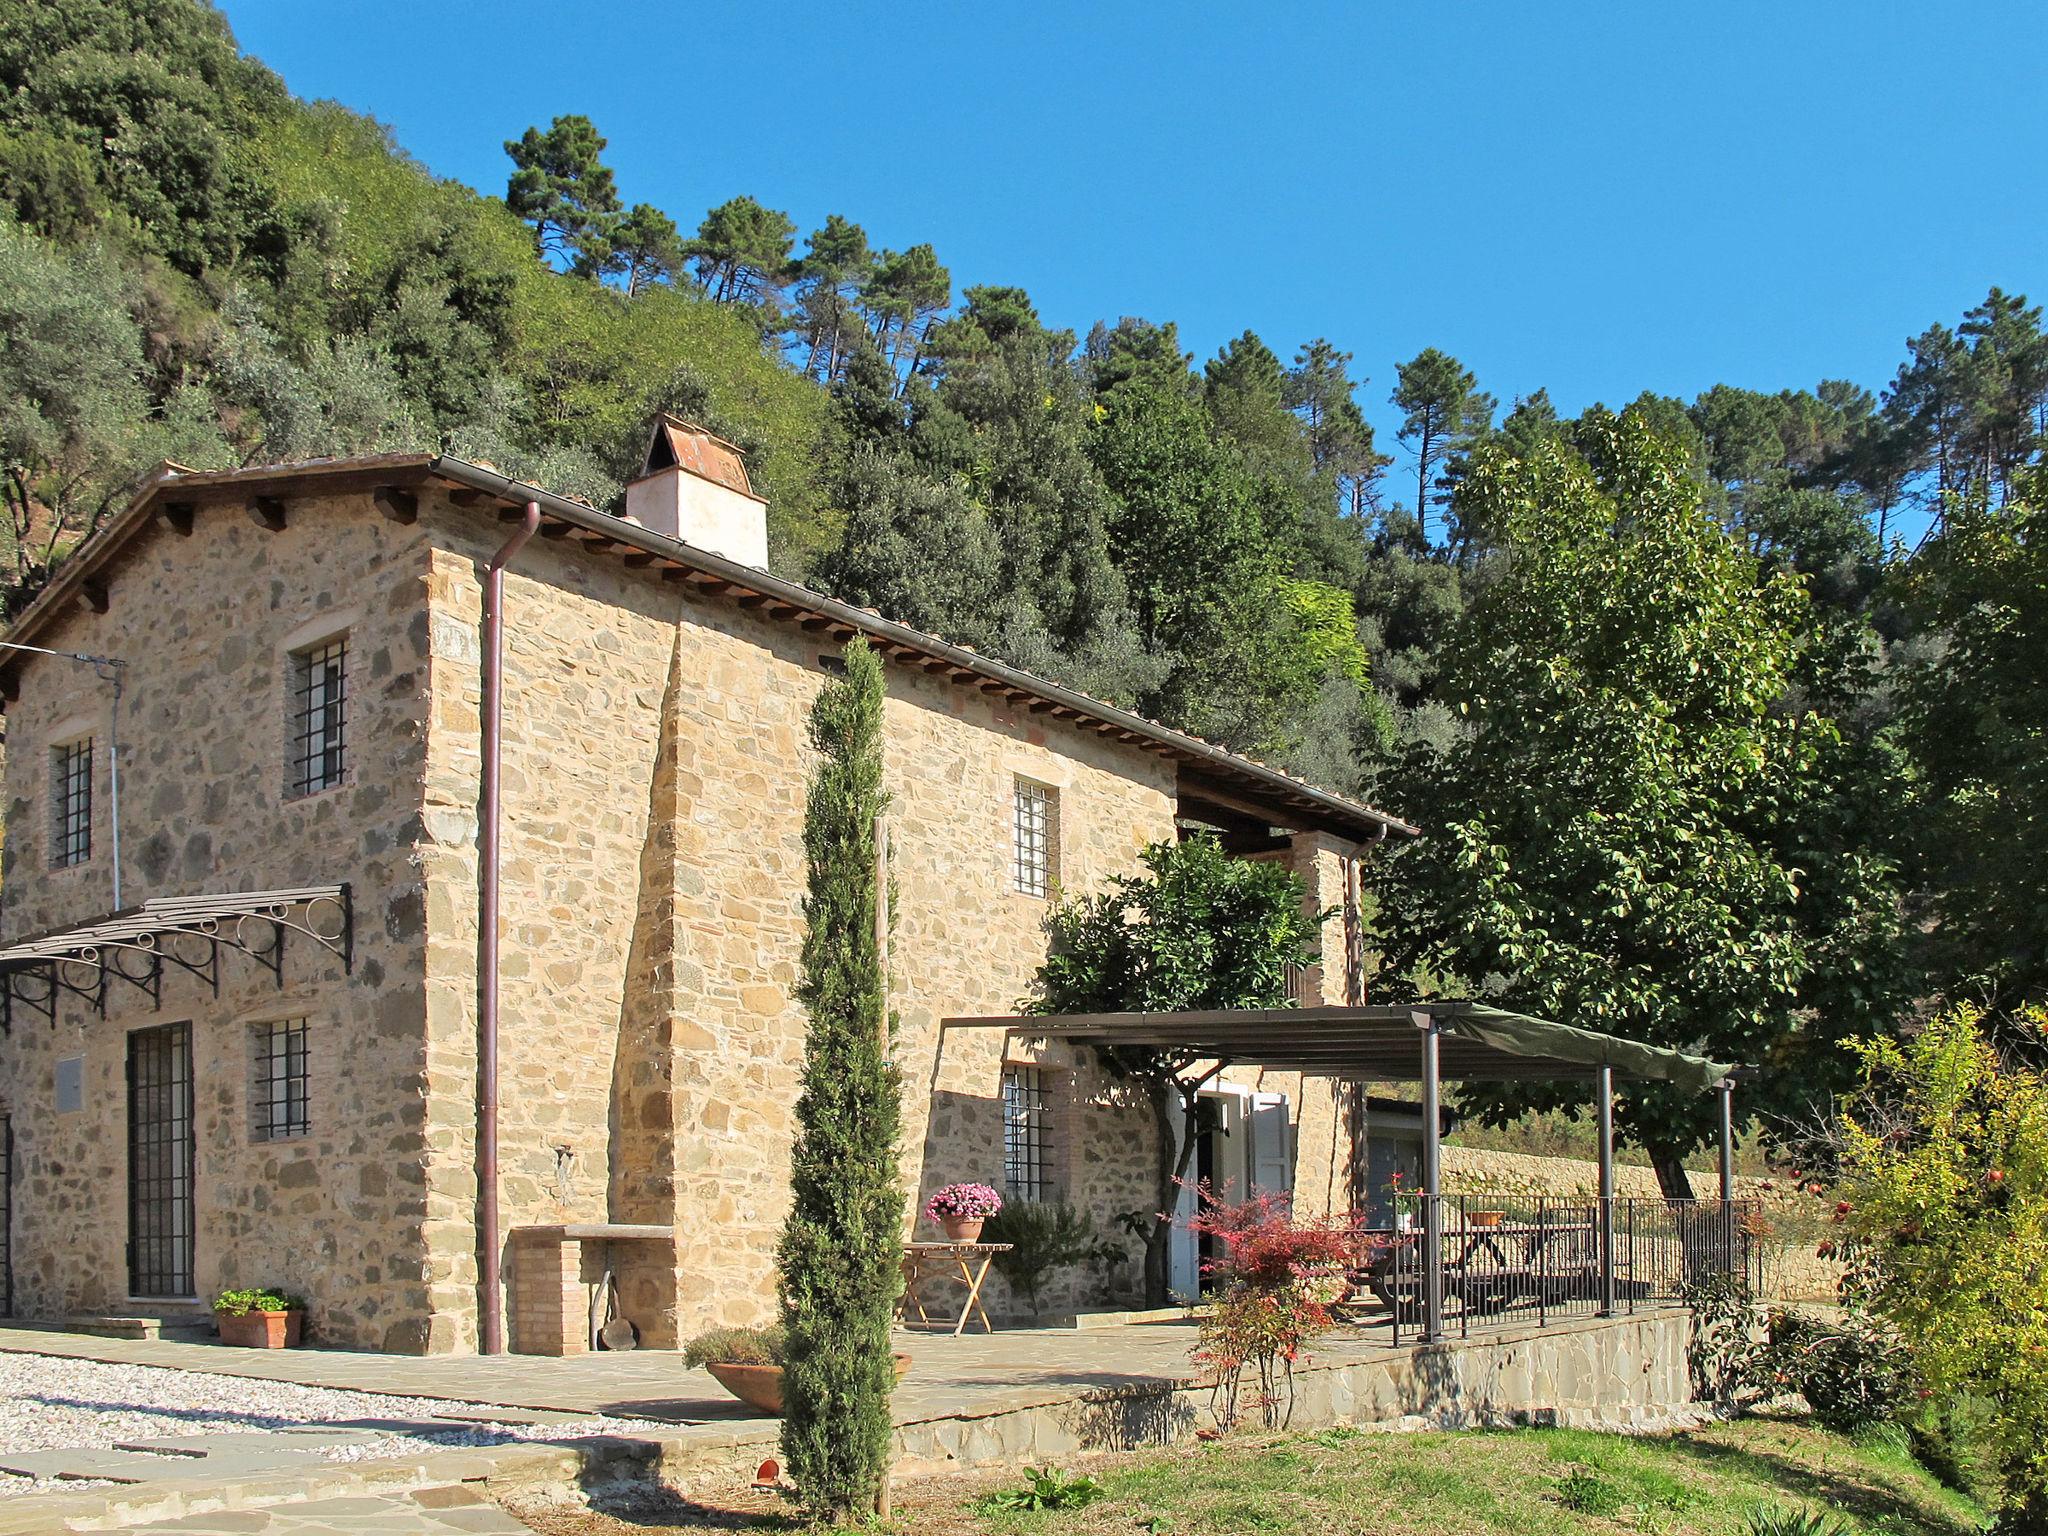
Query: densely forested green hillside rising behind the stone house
x=200 y=267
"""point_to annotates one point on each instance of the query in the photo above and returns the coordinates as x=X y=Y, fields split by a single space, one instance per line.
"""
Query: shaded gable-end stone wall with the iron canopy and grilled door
x=206 y=626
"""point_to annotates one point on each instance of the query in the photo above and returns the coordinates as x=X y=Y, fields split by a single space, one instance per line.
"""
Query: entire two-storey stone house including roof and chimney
x=241 y=945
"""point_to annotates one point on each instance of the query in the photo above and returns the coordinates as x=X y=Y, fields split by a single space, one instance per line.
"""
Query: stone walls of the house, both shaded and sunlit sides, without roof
x=654 y=783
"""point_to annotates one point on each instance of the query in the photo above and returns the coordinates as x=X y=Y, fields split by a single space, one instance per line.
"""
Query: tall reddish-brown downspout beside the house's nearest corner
x=495 y=634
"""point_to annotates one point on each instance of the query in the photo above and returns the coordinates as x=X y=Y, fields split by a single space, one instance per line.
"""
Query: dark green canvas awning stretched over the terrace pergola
x=1377 y=1043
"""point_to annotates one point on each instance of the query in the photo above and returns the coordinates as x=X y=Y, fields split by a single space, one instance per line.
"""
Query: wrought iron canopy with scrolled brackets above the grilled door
x=189 y=933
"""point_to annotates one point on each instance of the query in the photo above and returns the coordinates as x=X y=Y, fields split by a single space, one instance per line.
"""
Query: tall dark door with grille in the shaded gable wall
x=161 y=1162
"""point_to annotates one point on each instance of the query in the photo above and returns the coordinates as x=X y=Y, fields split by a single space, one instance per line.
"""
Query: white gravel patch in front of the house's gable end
x=56 y=1404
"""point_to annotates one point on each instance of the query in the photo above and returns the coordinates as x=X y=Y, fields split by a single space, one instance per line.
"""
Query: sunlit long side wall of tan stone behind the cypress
x=654 y=876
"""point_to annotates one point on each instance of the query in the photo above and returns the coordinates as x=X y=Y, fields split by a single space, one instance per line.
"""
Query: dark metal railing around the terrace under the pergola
x=1535 y=1261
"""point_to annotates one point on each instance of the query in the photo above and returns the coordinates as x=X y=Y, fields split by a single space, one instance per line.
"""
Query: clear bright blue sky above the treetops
x=1598 y=200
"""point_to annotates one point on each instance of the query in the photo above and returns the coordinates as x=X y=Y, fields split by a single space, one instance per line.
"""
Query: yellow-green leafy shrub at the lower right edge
x=1945 y=1158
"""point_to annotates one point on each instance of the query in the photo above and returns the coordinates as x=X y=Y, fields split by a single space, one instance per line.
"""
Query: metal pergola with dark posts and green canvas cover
x=1426 y=1043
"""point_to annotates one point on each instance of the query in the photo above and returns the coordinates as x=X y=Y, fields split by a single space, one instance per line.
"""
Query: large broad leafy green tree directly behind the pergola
x=1635 y=835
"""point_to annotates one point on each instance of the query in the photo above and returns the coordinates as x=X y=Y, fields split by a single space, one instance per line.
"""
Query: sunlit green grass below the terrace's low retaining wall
x=1717 y=1482
